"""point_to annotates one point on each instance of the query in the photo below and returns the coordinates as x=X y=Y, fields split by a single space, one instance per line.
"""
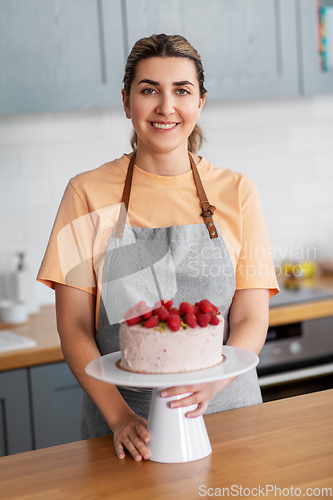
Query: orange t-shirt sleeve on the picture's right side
x=255 y=266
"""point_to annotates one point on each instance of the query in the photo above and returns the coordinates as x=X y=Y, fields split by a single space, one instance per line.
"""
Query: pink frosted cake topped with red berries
x=171 y=340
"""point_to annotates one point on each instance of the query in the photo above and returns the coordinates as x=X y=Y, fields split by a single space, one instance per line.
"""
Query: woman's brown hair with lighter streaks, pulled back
x=165 y=46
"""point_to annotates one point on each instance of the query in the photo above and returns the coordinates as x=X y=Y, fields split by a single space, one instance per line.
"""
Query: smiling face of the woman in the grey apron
x=164 y=103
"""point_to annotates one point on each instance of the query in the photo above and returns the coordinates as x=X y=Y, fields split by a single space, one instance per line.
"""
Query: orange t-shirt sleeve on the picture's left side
x=68 y=257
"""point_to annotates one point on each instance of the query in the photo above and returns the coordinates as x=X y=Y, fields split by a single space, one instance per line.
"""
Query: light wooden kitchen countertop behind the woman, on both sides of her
x=42 y=328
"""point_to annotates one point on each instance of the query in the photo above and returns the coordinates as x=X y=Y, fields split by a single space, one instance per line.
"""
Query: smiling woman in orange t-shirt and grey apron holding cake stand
x=218 y=252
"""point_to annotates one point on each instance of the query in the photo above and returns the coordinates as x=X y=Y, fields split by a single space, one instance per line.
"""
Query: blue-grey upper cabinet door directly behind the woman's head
x=248 y=47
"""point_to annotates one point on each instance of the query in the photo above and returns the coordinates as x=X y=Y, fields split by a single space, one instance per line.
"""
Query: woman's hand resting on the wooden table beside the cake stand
x=131 y=433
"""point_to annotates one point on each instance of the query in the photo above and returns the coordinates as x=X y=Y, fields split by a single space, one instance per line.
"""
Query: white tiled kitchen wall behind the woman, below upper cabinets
x=285 y=146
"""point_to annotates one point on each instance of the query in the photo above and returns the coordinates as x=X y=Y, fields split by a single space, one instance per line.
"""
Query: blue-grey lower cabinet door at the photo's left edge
x=15 y=421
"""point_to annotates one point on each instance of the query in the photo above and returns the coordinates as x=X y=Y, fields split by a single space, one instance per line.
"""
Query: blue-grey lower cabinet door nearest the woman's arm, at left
x=56 y=401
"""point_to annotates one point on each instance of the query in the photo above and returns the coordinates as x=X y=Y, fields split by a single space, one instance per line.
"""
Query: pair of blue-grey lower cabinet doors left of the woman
x=39 y=407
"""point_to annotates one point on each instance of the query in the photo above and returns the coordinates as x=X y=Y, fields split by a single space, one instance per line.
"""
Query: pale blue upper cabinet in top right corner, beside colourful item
x=313 y=79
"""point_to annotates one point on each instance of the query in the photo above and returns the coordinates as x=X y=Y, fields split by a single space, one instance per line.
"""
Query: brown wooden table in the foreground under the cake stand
x=281 y=444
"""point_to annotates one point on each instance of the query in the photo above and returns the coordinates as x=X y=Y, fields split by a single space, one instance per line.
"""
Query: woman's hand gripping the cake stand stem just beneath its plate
x=201 y=394
